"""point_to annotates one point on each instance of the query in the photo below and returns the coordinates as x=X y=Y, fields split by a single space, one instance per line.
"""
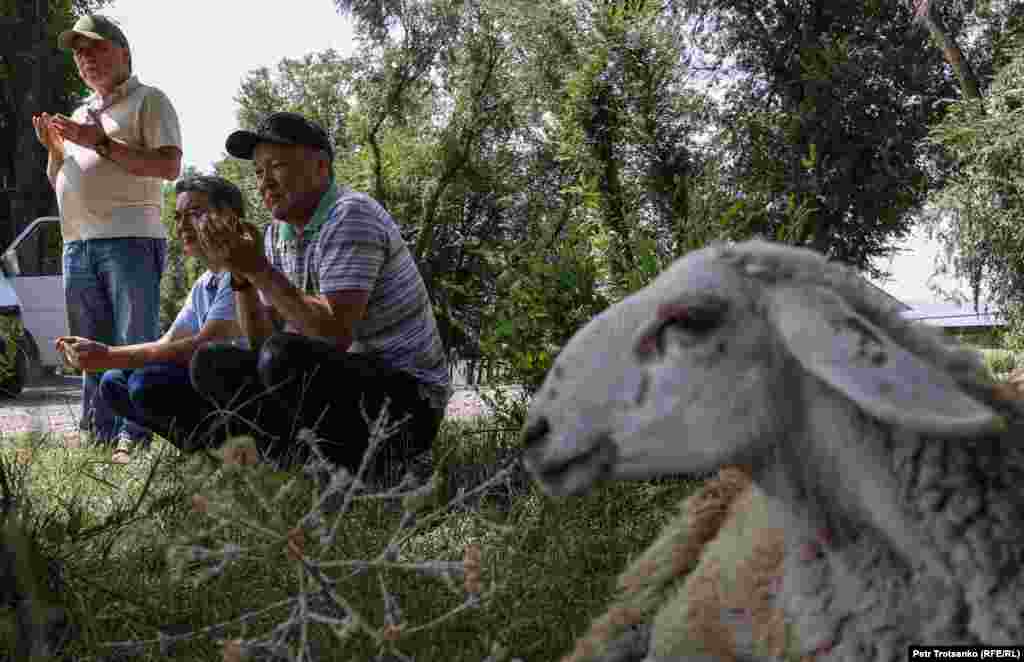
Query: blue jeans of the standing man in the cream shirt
x=112 y=291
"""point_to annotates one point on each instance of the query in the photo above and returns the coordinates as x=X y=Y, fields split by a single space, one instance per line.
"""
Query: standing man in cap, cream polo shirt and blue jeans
x=107 y=163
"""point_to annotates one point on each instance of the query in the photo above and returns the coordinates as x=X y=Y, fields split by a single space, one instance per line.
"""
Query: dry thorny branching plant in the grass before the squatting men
x=309 y=545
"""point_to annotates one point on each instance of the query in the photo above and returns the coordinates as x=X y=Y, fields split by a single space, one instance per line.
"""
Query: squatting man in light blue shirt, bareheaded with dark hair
x=149 y=384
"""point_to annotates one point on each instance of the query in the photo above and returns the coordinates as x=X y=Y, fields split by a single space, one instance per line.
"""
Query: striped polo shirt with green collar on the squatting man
x=354 y=244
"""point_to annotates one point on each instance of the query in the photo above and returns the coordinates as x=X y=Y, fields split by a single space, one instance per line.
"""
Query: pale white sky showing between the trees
x=199 y=52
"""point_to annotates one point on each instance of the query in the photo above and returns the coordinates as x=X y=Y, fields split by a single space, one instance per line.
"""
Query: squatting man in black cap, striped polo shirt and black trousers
x=333 y=306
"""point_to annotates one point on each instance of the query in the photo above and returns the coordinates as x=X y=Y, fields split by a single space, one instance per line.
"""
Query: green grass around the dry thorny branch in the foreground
x=548 y=566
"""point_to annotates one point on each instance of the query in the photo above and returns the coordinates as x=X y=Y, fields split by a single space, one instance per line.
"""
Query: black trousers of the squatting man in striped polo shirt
x=295 y=382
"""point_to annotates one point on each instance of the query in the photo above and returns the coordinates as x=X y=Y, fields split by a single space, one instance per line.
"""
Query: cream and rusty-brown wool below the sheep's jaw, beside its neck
x=707 y=584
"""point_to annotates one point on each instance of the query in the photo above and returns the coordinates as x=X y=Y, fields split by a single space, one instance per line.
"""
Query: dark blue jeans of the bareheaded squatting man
x=160 y=397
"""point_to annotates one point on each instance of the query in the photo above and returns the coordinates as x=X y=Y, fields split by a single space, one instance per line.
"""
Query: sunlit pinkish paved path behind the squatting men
x=55 y=403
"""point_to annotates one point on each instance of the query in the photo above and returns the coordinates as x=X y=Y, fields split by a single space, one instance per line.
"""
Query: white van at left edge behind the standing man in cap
x=32 y=288
